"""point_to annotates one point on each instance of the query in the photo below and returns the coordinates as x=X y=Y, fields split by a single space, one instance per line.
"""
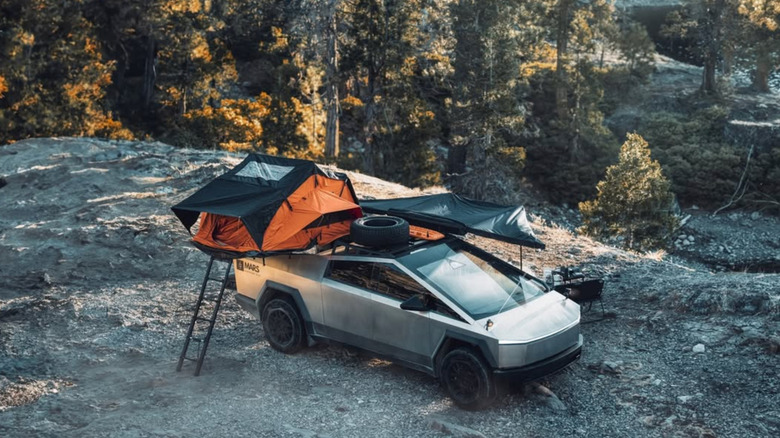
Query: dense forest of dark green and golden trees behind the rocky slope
x=483 y=96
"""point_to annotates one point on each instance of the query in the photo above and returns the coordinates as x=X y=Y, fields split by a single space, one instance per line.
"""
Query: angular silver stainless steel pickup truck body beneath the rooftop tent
x=417 y=304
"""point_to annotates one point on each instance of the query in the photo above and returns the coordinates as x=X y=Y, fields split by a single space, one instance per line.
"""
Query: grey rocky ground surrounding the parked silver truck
x=98 y=281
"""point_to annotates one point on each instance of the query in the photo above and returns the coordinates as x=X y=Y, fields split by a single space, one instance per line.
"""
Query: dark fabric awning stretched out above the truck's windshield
x=451 y=213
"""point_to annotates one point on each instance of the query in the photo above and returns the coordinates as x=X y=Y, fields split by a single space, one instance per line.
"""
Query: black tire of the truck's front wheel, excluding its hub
x=486 y=389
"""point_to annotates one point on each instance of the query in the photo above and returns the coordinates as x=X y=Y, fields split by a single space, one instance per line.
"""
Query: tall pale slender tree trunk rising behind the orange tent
x=332 y=86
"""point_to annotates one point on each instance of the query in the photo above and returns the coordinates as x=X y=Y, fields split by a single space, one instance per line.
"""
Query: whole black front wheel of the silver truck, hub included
x=467 y=379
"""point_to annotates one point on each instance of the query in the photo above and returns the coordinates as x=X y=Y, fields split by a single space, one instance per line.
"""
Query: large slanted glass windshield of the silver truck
x=477 y=283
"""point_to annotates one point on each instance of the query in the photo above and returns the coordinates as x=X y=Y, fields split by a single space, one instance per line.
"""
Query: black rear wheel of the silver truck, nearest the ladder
x=283 y=325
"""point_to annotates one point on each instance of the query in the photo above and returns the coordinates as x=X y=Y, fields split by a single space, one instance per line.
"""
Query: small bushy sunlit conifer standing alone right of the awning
x=634 y=200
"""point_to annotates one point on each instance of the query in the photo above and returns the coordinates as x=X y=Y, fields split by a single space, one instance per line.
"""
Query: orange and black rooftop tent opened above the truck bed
x=270 y=204
